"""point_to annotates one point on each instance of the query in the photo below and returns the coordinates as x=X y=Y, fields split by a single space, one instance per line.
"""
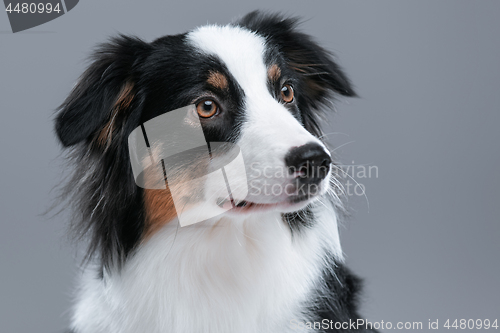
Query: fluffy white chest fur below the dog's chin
x=239 y=275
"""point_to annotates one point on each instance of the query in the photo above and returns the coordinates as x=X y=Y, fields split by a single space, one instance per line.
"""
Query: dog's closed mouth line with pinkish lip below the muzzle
x=244 y=206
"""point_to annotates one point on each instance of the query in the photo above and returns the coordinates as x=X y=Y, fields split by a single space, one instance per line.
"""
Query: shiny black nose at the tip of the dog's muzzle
x=310 y=162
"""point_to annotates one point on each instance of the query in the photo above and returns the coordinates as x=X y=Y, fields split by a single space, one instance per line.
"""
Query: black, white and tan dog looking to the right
x=272 y=260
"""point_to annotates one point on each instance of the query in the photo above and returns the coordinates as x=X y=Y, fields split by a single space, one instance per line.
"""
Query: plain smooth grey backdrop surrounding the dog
x=428 y=74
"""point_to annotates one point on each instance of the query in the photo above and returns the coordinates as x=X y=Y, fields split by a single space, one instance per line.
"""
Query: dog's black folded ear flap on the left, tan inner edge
x=103 y=92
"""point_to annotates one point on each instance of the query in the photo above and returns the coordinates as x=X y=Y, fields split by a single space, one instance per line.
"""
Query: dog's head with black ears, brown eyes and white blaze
x=257 y=83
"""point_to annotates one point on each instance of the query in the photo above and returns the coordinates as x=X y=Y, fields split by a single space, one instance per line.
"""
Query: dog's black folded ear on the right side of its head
x=319 y=73
